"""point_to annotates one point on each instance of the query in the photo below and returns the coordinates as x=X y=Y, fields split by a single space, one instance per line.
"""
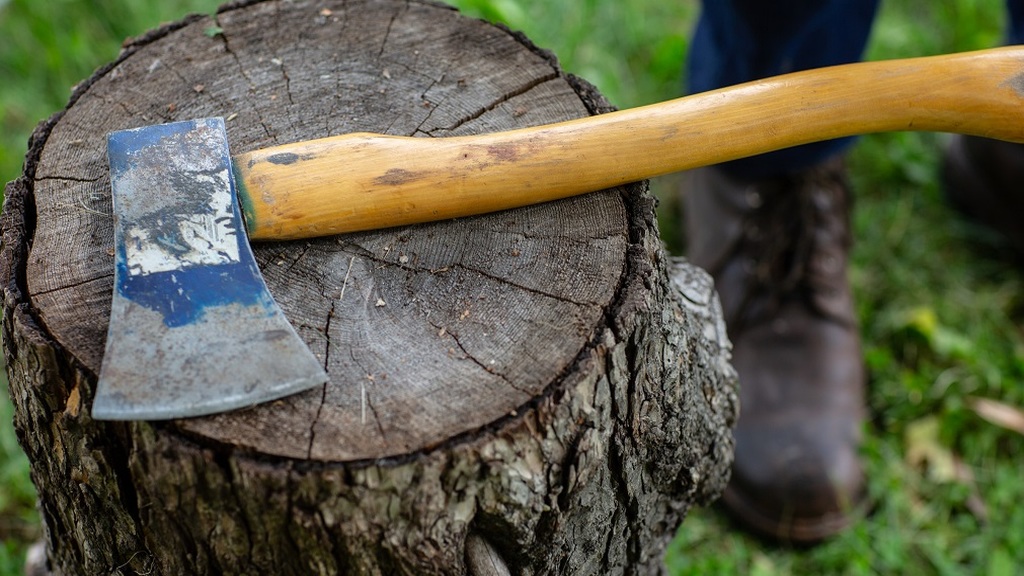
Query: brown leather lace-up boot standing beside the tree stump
x=778 y=250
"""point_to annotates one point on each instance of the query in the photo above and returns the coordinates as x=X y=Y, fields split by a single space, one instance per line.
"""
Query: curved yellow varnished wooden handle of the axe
x=363 y=182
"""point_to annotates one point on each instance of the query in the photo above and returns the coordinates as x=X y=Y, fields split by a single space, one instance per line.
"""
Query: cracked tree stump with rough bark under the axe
x=536 y=392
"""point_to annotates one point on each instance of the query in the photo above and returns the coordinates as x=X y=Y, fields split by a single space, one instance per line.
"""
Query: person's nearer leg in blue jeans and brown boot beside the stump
x=775 y=233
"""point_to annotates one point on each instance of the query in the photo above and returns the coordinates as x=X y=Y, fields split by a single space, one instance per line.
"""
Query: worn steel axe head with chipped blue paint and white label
x=194 y=330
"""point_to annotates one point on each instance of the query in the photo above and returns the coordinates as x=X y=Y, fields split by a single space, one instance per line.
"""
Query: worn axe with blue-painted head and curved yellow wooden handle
x=194 y=330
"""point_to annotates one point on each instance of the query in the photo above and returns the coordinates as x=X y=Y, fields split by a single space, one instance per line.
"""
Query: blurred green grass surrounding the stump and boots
x=941 y=305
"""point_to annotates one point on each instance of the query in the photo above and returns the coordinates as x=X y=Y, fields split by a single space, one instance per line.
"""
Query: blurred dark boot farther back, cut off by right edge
x=984 y=179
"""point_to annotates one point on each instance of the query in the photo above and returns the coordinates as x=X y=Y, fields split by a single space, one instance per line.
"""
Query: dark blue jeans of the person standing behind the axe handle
x=742 y=40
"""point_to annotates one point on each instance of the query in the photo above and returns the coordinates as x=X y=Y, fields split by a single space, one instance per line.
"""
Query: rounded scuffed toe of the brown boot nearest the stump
x=797 y=475
